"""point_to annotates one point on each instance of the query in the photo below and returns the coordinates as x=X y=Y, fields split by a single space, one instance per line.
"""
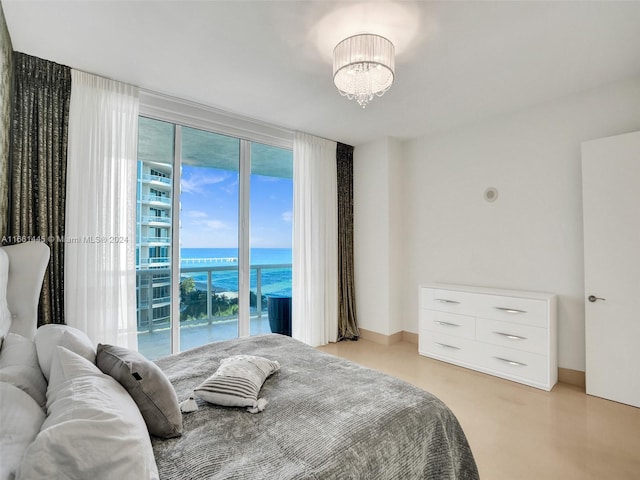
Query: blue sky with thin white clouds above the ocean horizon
x=209 y=209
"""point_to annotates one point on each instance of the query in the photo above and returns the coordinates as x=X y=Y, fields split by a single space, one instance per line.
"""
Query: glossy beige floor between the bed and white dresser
x=516 y=431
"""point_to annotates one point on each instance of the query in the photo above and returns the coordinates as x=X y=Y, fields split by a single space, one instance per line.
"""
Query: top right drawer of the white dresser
x=524 y=311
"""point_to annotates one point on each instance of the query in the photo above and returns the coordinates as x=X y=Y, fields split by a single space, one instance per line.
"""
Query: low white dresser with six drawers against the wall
x=508 y=333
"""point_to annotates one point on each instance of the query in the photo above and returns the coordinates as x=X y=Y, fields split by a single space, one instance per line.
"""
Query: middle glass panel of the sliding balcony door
x=209 y=213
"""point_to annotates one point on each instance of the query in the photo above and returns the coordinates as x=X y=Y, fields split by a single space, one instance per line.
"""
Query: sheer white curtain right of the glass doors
x=315 y=240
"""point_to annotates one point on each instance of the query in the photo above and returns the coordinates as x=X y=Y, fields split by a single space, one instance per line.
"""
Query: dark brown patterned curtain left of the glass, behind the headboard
x=40 y=119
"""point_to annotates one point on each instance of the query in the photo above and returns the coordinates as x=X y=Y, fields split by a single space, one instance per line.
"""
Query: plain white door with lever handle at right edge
x=611 y=208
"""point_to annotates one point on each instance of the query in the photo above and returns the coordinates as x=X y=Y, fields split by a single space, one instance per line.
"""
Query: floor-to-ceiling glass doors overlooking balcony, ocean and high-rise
x=214 y=235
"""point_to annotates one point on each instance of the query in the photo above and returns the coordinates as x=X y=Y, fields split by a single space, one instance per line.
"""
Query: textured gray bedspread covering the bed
x=327 y=418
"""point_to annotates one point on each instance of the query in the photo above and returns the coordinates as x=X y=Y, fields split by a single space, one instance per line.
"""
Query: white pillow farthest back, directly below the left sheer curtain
x=48 y=337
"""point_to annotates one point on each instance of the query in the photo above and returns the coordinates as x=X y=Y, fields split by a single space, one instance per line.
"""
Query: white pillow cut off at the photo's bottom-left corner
x=21 y=419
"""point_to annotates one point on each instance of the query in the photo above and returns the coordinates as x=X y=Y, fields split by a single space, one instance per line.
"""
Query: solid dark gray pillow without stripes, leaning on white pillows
x=148 y=386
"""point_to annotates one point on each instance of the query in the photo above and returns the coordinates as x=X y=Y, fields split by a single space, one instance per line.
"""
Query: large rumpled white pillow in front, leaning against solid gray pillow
x=93 y=428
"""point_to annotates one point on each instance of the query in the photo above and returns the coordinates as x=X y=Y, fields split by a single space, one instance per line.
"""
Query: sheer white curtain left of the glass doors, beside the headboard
x=100 y=227
